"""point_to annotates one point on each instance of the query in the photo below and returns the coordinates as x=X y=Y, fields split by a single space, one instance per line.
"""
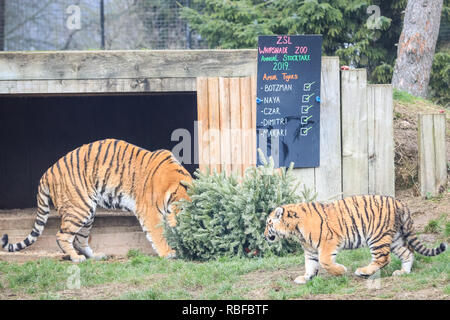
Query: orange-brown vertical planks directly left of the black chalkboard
x=227 y=123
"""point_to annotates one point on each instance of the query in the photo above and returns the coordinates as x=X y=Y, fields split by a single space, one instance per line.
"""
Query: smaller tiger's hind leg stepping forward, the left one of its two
x=380 y=251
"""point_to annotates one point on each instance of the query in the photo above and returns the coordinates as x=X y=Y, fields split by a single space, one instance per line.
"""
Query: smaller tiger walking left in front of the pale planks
x=383 y=223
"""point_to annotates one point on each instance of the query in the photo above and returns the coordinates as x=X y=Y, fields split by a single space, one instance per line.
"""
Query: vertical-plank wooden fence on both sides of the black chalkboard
x=356 y=131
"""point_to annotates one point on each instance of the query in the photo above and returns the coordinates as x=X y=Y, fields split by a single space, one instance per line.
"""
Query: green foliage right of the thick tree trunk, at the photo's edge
x=440 y=78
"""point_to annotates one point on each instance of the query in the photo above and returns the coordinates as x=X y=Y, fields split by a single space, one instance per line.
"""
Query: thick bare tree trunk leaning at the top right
x=416 y=46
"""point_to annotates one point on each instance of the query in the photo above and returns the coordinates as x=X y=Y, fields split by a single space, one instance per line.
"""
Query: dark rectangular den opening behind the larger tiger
x=35 y=131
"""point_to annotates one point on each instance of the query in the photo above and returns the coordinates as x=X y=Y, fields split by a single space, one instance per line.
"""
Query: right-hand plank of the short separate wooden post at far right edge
x=440 y=150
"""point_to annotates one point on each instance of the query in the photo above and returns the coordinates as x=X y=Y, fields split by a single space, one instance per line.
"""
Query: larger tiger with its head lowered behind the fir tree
x=112 y=174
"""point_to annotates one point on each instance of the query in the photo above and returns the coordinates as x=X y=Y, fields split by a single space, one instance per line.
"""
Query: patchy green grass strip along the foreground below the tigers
x=148 y=277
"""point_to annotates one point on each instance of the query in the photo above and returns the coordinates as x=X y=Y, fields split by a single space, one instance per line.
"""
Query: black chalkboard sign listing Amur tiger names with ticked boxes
x=288 y=99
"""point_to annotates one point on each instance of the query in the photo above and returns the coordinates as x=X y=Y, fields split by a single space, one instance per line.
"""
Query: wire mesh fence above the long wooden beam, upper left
x=95 y=24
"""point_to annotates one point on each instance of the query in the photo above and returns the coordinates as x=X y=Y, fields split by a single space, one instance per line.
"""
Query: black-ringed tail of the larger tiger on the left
x=43 y=199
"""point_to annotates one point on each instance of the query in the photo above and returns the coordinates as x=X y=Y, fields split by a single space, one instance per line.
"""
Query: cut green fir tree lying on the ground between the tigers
x=228 y=218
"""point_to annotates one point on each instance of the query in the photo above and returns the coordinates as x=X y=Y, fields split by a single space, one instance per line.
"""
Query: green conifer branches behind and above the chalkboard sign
x=348 y=30
